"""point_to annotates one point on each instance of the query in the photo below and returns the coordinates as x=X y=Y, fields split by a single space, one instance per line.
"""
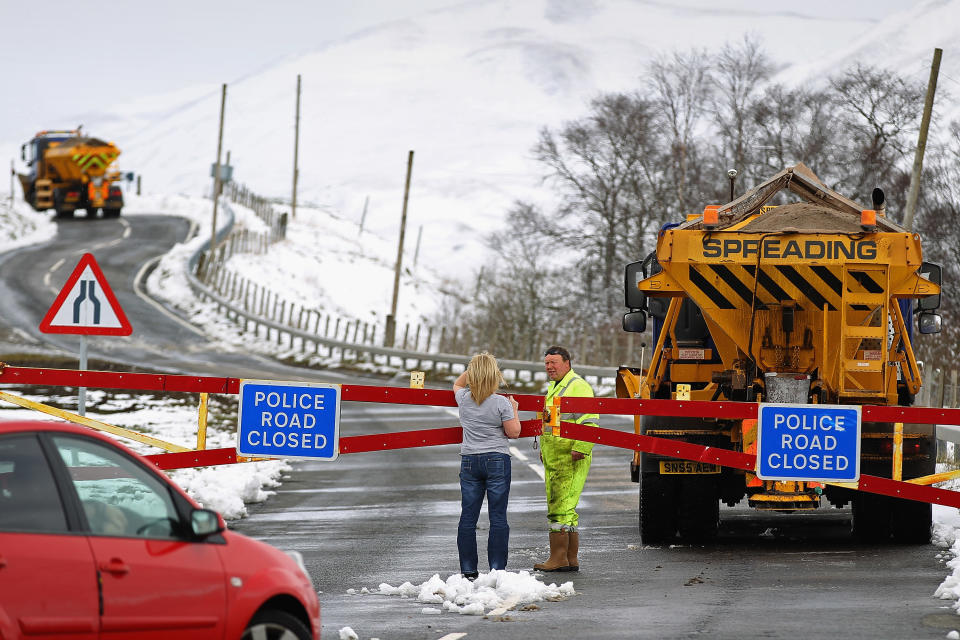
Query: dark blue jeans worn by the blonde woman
x=483 y=473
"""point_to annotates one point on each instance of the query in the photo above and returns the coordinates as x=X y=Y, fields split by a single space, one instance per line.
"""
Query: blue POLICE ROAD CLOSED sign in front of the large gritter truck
x=811 y=442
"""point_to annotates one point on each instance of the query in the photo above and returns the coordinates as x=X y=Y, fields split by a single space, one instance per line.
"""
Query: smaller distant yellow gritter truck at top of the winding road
x=67 y=171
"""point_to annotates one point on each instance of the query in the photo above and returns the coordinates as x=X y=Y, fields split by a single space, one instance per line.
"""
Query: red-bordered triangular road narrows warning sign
x=86 y=305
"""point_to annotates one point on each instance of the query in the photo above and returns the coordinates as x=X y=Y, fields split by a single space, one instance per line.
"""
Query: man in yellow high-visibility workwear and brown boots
x=565 y=463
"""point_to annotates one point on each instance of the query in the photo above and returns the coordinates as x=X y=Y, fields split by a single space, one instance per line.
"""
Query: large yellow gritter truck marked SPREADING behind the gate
x=810 y=302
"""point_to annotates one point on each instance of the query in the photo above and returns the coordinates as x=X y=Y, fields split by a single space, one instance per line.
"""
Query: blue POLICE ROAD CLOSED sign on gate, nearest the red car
x=289 y=419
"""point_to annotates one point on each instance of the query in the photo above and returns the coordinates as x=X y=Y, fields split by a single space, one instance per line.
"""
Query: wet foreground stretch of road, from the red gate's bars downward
x=391 y=517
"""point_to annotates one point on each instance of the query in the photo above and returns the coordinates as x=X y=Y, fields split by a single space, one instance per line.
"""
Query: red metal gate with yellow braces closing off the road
x=177 y=456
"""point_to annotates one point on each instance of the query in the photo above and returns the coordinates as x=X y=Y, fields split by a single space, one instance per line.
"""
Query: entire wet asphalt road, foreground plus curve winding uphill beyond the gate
x=391 y=516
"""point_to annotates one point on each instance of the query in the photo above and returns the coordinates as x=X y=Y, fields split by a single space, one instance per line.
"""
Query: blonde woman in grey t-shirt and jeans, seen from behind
x=488 y=419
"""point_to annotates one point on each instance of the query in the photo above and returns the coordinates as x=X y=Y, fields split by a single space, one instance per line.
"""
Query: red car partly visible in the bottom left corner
x=97 y=543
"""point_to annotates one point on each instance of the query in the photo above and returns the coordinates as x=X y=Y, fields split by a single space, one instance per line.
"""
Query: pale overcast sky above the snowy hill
x=63 y=58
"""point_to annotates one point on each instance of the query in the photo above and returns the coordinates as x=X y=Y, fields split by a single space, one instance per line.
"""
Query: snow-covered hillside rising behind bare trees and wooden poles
x=467 y=87
